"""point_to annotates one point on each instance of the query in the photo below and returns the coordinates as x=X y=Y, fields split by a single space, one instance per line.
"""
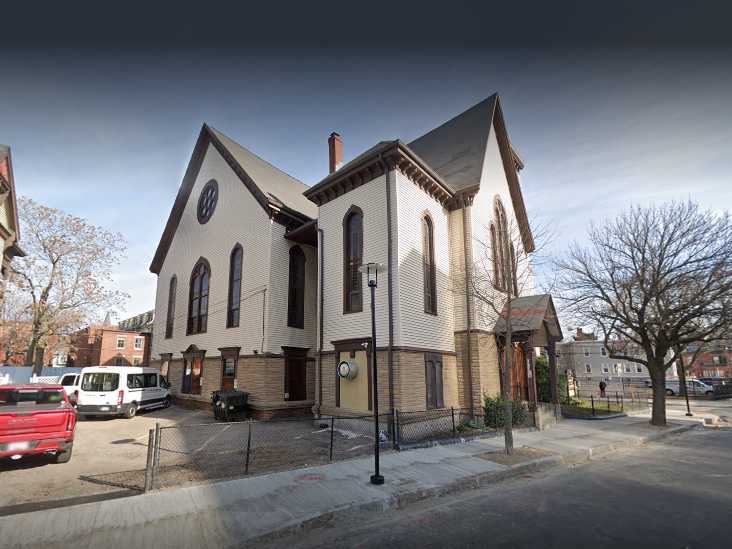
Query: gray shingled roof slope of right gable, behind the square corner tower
x=456 y=149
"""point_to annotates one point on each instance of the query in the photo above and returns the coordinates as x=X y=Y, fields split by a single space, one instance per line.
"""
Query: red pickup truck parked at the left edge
x=36 y=419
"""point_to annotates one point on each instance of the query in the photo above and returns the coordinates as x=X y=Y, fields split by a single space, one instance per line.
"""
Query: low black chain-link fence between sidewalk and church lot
x=192 y=453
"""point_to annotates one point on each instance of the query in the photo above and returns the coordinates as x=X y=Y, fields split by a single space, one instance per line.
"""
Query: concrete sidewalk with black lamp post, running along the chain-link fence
x=232 y=513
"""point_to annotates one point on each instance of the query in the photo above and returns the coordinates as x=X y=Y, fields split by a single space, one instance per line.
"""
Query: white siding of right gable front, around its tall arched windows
x=493 y=183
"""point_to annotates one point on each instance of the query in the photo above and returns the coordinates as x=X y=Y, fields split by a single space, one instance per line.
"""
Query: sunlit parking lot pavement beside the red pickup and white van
x=103 y=447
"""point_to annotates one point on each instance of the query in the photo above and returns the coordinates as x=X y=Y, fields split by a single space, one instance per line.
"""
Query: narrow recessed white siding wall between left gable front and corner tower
x=278 y=333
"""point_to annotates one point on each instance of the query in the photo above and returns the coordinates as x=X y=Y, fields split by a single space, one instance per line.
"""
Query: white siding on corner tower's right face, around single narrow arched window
x=415 y=327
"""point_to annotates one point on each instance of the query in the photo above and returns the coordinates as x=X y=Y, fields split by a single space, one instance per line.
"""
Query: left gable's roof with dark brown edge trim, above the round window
x=273 y=189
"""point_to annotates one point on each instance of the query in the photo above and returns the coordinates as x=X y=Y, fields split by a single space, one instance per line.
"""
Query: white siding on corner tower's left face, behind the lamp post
x=371 y=198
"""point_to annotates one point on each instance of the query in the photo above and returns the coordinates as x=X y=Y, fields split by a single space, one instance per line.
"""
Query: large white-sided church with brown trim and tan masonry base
x=261 y=285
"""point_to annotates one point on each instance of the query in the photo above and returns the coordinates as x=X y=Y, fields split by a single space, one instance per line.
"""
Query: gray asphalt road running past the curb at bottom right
x=675 y=493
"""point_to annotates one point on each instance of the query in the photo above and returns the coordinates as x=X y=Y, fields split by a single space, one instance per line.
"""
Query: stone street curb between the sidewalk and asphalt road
x=405 y=499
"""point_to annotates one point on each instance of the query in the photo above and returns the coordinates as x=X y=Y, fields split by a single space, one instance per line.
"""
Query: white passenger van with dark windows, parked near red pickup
x=121 y=390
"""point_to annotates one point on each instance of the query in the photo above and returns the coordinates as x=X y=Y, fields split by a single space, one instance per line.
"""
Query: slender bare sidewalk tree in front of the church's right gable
x=501 y=271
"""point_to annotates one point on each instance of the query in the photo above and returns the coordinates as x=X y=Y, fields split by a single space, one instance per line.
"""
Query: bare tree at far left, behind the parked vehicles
x=65 y=273
